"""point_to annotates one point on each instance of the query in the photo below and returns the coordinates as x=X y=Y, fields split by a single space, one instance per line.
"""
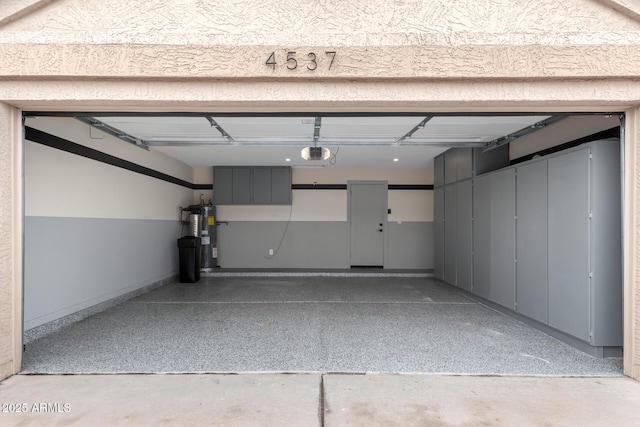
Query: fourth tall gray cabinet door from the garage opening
x=482 y=236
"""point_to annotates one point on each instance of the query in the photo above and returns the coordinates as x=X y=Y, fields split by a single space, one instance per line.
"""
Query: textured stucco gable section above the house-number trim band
x=358 y=22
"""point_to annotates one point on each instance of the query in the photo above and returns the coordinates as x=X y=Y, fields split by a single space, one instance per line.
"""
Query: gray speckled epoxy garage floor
x=308 y=324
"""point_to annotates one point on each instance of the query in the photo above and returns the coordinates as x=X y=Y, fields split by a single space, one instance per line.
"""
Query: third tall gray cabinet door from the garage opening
x=503 y=239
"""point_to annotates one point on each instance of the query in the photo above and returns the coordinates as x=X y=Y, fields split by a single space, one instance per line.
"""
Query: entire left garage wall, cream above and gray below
x=95 y=231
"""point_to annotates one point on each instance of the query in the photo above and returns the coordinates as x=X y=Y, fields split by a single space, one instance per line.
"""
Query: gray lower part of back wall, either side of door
x=317 y=244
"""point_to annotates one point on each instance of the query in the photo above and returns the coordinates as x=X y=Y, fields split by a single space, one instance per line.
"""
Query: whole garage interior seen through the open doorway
x=427 y=291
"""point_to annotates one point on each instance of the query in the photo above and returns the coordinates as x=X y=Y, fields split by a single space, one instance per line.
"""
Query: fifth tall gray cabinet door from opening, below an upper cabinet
x=464 y=243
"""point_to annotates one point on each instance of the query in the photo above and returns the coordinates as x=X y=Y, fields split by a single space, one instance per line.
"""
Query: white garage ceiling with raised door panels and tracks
x=366 y=141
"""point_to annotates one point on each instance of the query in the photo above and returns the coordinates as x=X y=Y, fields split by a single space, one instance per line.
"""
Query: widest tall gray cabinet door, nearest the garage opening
x=569 y=243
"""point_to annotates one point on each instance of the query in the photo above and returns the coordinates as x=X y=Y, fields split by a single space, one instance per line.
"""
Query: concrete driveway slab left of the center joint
x=154 y=400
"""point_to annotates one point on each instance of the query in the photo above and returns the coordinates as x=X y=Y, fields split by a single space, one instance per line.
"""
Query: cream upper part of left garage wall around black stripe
x=61 y=184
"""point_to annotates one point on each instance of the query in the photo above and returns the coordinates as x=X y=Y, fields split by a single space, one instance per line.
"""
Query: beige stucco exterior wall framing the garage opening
x=412 y=55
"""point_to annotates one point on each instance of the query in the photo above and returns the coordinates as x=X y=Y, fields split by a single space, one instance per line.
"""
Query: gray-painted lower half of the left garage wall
x=75 y=263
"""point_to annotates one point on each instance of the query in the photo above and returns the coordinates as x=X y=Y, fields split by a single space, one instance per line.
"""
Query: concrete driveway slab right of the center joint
x=424 y=400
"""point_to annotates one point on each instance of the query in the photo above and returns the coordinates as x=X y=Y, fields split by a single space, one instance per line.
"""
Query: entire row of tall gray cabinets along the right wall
x=545 y=241
